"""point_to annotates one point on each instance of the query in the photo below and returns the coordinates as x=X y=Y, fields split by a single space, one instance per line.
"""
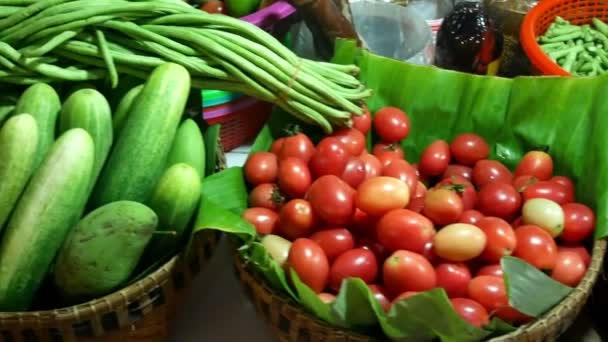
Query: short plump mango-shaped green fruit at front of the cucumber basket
x=103 y=249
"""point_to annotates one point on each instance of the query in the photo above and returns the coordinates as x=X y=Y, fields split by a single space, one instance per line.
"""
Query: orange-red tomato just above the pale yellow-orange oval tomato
x=442 y=206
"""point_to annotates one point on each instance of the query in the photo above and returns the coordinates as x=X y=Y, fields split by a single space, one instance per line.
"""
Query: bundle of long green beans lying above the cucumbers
x=62 y=40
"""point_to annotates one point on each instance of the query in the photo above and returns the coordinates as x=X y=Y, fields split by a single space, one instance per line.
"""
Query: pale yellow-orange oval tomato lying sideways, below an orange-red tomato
x=459 y=242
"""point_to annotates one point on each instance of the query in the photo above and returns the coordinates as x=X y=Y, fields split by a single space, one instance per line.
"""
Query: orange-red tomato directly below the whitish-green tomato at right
x=535 y=246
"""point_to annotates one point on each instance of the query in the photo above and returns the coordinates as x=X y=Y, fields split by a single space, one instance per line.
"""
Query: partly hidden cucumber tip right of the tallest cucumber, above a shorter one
x=188 y=147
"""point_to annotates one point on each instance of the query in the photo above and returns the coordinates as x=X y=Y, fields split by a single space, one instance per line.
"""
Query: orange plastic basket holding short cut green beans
x=537 y=22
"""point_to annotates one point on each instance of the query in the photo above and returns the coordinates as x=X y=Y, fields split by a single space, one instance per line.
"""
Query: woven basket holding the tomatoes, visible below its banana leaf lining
x=291 y=323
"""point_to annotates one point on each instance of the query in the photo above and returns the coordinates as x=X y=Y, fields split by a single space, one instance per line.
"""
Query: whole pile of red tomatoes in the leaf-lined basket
x=333 y=210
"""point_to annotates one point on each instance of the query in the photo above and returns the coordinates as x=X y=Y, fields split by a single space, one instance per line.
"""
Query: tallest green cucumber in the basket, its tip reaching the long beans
x=140 y=152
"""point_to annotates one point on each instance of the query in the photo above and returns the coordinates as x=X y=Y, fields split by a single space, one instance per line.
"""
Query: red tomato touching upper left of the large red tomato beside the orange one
x=294 y=177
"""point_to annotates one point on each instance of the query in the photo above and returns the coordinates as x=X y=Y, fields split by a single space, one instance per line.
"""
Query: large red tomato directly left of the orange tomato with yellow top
x=332 y=200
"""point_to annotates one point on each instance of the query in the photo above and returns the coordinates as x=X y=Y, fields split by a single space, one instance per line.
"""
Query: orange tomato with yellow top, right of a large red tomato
x=380 y=195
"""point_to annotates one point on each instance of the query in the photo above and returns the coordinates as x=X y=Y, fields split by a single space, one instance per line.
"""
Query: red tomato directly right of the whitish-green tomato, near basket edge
x=579 y=222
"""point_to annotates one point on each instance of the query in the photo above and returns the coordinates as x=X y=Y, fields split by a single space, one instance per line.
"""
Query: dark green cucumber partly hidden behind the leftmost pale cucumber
x=42 y=102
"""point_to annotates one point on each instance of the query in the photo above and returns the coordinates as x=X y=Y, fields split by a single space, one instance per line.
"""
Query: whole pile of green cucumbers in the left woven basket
x=87 y=194
